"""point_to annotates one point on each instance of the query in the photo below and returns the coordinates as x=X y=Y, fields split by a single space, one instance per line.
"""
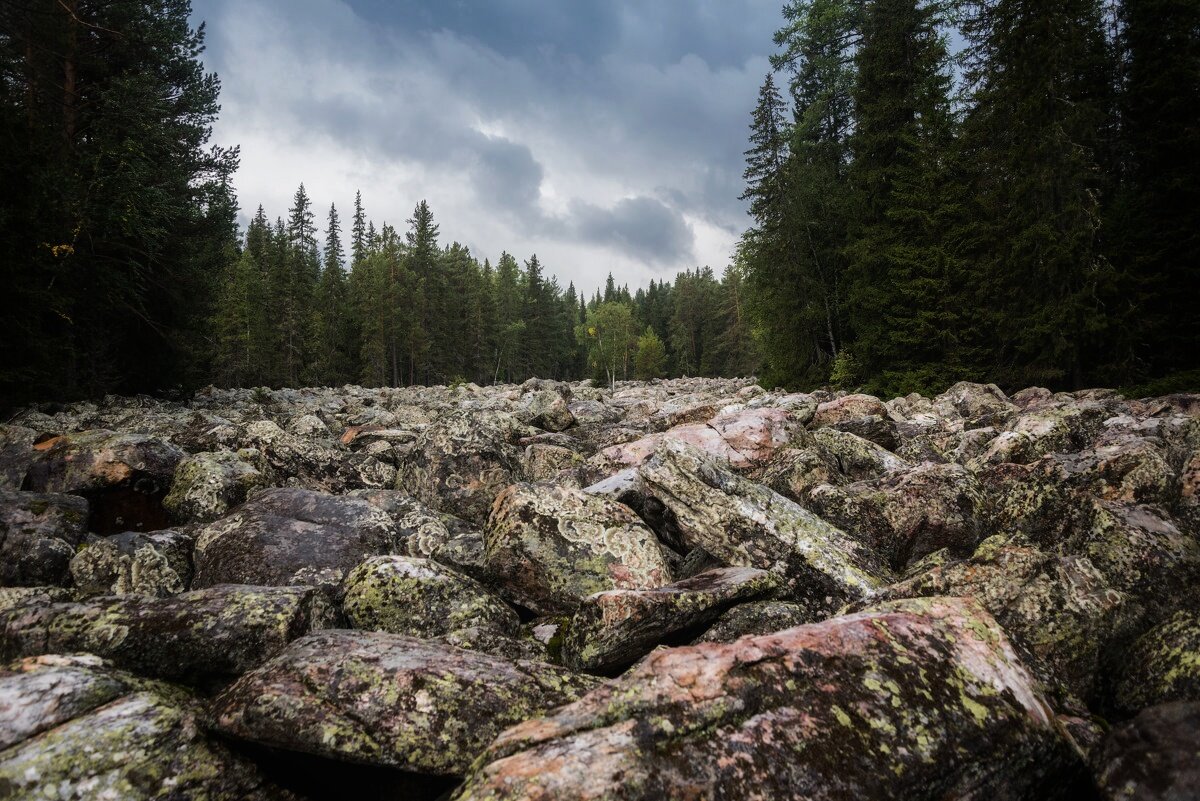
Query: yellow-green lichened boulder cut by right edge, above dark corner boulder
x=1163 y=666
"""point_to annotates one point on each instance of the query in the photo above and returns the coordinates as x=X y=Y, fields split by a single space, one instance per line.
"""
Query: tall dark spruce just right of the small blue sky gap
x=1037 y=75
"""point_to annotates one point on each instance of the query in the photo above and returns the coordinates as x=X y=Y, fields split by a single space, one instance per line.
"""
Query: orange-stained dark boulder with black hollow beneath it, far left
x=124 y=477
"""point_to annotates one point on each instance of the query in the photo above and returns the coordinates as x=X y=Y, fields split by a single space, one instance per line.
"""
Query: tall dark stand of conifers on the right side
x=1027 y=214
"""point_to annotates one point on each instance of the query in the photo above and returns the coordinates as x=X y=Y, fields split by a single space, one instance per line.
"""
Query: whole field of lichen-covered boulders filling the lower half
x=692 y=589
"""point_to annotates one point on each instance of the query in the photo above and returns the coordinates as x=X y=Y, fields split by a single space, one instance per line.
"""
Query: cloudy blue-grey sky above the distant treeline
x=601 y=135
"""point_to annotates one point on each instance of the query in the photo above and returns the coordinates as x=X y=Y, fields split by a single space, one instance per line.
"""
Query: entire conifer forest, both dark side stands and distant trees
x=994 y=191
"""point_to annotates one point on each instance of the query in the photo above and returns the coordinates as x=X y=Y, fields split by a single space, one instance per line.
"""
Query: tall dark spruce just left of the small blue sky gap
x=902 y=272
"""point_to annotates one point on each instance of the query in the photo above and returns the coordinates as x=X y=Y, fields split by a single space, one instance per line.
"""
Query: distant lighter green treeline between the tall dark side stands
x=405 y=310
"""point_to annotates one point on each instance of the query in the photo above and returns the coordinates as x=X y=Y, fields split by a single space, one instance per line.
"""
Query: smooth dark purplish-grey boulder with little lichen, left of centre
x=293 y=537
